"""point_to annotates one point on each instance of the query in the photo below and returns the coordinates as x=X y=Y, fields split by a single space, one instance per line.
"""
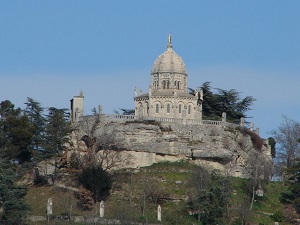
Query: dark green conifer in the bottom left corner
x=12 y=200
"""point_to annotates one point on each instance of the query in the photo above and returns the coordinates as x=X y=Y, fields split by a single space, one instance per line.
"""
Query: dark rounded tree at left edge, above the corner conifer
x=16 y=133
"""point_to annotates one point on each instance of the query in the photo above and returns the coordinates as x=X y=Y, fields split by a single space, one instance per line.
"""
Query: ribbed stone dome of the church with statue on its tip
x=169 y=62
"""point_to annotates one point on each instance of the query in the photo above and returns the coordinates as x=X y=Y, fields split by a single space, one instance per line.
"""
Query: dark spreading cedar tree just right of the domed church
x=229 y=101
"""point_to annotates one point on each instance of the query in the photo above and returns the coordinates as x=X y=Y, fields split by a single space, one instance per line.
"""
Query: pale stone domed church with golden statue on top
x=168 y=96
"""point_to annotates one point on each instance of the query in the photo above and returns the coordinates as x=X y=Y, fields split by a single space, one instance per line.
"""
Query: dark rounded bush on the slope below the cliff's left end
x=98 y=181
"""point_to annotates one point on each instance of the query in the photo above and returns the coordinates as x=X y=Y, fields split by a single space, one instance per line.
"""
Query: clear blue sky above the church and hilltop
x=51 y=50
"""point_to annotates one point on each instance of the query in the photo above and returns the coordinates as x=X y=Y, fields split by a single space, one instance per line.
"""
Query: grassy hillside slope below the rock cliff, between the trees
x=169 y=184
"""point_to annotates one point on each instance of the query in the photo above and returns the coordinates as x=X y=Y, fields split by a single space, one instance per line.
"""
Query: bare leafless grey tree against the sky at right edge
x=286 y=137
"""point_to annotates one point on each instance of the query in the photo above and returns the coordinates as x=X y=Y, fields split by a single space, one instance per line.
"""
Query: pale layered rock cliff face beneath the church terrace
x=226 y=148
